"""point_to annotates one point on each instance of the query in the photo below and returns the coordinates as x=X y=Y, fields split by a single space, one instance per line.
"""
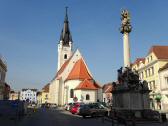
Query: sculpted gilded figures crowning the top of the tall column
x=125 y=22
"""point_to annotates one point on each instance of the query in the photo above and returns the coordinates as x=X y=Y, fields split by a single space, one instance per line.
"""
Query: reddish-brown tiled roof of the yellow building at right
x=161 y=52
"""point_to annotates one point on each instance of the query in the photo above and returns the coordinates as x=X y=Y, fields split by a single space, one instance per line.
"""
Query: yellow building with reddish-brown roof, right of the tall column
x=148 y=69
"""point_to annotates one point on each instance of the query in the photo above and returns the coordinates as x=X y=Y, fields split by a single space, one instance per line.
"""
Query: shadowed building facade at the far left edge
x=3 y=70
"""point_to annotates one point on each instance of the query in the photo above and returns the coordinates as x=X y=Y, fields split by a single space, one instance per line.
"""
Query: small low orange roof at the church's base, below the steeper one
x=86 y=85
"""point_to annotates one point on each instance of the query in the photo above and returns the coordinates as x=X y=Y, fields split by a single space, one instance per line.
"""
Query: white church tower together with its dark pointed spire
x=65 y=43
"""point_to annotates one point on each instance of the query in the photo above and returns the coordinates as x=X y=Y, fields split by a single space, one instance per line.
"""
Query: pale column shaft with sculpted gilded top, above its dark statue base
x=125 y=30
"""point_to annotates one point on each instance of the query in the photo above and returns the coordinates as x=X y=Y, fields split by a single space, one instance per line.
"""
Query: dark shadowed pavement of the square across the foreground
x=59 y=117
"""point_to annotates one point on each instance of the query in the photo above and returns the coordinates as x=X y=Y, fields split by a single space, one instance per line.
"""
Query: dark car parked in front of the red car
x=93 y=110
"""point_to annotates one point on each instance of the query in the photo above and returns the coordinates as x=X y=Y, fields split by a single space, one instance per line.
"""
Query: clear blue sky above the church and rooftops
x=30 y=31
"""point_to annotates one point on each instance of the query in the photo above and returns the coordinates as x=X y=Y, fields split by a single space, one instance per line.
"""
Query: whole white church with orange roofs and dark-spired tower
x=73 y=81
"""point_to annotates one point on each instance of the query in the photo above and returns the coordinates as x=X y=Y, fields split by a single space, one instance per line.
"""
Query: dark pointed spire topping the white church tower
x=65 y=33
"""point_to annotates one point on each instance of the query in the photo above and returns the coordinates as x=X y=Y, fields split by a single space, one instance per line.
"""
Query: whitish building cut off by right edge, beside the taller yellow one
x=163 y=77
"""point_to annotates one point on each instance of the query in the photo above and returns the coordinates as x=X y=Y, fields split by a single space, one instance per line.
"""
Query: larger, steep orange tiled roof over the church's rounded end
x=79 y=71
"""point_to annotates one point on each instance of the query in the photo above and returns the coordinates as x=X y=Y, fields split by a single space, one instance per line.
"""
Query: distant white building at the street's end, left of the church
x=29 y=95
